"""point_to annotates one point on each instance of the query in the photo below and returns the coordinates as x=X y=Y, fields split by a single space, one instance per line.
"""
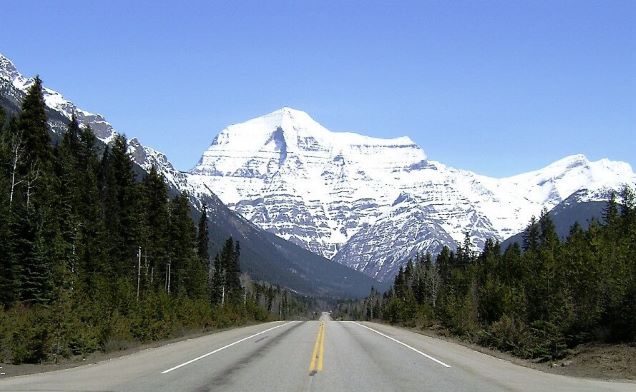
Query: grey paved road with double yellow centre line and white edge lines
x=322 y=355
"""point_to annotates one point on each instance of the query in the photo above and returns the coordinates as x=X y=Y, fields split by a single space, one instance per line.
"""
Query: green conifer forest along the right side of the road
x=537 y=300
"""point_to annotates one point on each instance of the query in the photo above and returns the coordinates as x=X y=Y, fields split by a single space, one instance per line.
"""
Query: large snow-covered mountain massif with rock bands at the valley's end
x=372 y=203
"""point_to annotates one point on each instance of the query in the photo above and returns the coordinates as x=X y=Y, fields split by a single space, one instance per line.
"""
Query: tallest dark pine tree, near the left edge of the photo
x=33 y=223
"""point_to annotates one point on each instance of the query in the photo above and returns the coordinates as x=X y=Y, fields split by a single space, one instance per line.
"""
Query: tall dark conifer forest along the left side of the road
x=93 y=258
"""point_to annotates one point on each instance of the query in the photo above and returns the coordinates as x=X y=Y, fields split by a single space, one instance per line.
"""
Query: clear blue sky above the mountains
x=497 y=87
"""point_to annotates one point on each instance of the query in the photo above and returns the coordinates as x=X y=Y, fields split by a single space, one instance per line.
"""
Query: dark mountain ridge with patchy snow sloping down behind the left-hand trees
x=263 y=255
